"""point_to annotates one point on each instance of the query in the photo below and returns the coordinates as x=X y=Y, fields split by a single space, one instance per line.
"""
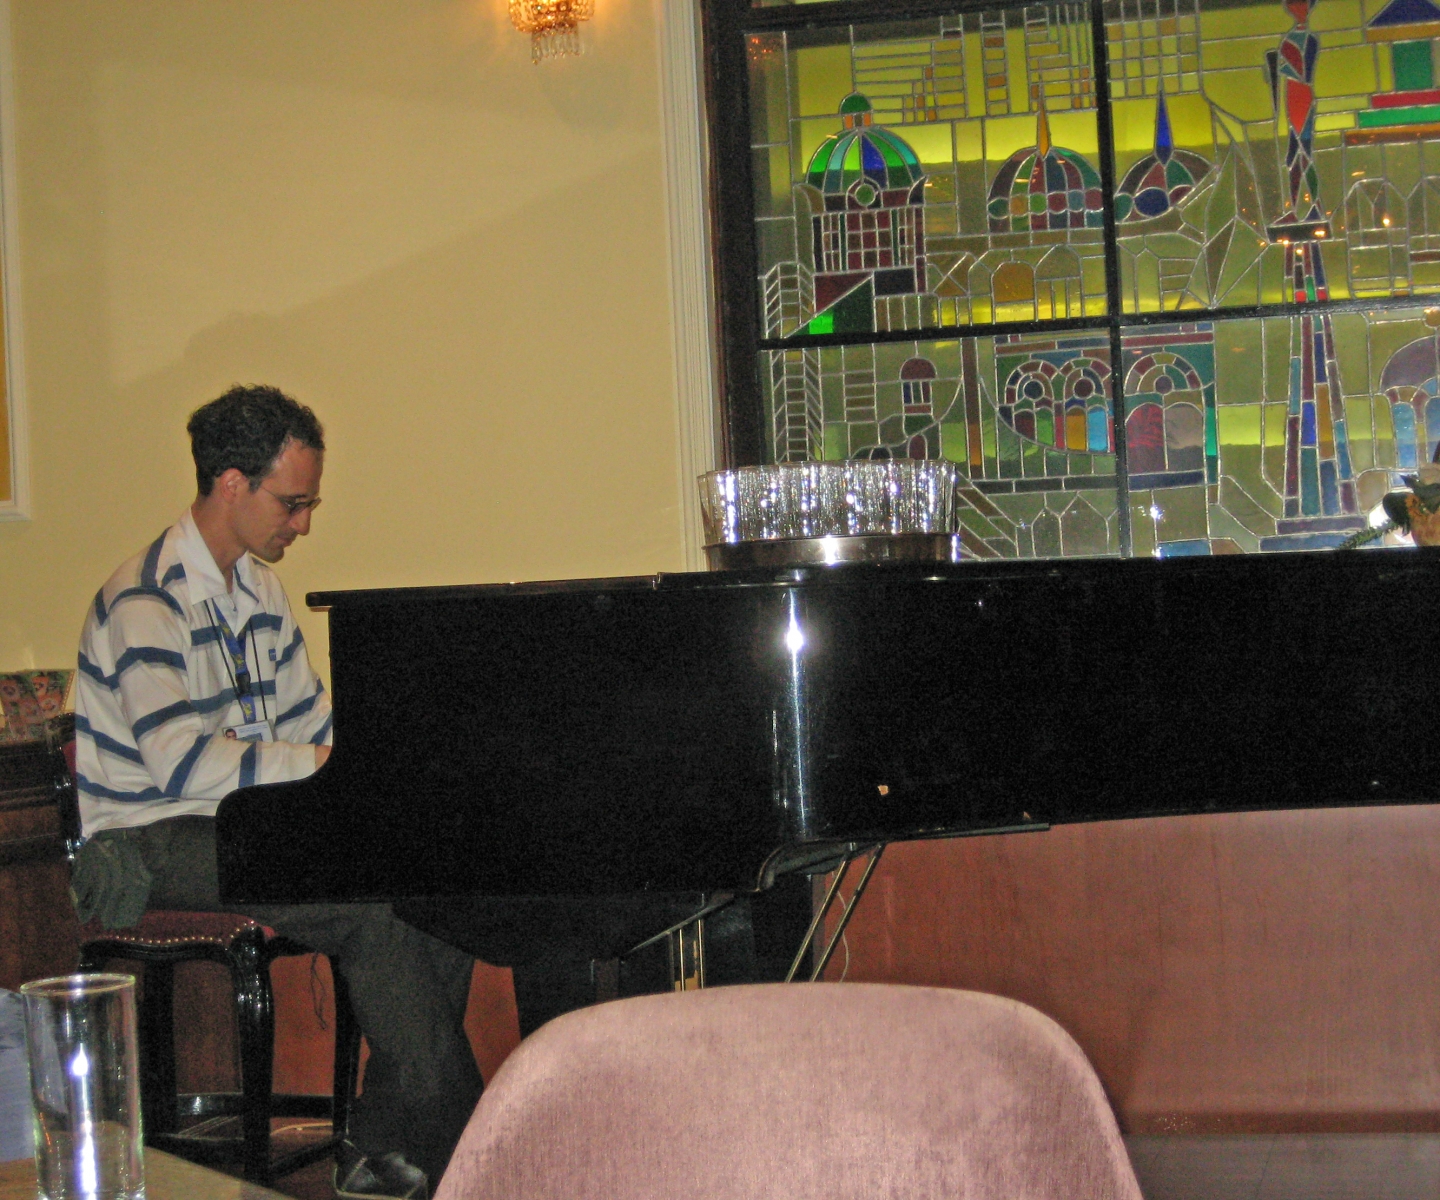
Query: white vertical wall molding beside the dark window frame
x=692 y=297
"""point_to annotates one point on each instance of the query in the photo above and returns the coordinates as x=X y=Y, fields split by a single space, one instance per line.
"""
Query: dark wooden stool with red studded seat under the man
x=161 y=941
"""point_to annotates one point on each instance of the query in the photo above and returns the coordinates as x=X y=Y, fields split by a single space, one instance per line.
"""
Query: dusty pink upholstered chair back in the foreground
x=801 y=1091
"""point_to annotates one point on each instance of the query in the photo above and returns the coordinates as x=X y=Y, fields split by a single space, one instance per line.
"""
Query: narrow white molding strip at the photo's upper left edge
x=19 y=505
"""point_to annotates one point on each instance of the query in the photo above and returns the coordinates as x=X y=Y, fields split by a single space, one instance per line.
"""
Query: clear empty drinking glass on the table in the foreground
x=86 y=1087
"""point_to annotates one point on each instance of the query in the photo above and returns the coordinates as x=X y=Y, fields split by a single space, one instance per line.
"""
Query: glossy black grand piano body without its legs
x=699 y=733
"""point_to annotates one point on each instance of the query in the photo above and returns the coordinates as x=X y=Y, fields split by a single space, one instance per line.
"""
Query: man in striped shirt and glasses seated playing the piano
x=194 y=682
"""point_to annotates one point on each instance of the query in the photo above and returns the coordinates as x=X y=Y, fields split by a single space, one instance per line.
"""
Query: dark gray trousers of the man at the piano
x=408 y=990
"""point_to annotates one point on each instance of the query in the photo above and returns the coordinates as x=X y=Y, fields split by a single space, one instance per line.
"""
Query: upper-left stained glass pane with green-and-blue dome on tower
x=901 y=168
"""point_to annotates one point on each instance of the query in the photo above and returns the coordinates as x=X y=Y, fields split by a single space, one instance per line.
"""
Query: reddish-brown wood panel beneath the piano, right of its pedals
x=1264 y=972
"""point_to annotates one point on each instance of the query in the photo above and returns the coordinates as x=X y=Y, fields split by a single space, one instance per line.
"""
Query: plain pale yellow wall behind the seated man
x=456 y=257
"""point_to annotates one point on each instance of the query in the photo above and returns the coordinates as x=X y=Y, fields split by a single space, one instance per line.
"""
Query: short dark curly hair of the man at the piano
x=247 y=429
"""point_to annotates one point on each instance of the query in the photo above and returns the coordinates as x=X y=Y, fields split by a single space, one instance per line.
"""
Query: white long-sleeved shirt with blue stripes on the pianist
x=156 y=691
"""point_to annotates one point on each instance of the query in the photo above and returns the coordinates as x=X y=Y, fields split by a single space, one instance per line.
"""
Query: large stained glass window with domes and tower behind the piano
x=1153 y=273
